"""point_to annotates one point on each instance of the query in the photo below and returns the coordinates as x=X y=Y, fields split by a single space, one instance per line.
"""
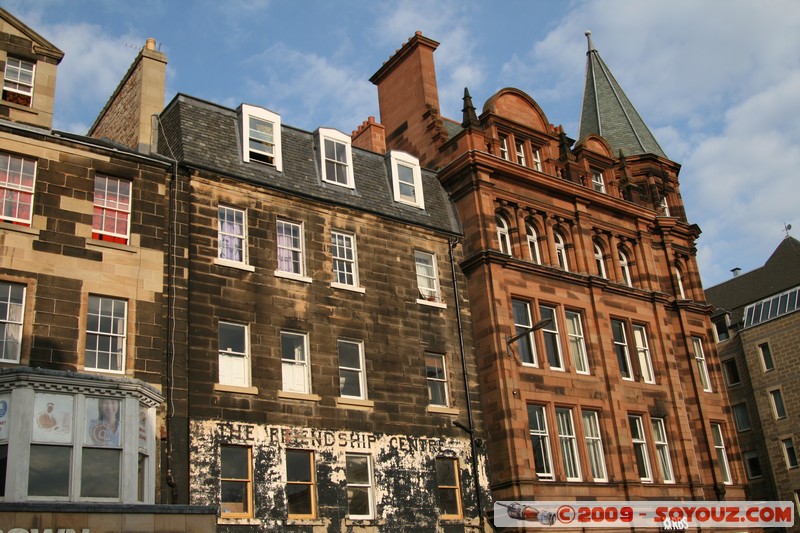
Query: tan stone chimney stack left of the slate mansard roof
x=126 y=117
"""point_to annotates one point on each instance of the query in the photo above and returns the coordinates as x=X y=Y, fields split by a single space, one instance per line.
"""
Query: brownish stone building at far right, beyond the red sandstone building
x=758 y=332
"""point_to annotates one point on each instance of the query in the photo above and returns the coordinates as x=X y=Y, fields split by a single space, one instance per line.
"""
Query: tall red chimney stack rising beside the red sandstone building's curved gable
x=408 y=99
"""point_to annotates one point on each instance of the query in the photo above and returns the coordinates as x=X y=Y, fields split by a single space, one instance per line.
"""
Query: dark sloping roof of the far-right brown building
x=781 y=272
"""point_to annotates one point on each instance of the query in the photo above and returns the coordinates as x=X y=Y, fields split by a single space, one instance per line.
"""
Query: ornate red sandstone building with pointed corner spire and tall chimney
x=598 y=370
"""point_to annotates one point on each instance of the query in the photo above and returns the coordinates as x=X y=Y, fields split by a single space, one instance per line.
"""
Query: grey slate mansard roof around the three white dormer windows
x=207 y=136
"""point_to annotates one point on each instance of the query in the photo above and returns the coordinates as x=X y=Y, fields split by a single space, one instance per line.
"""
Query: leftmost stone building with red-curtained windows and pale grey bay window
x=82 y=307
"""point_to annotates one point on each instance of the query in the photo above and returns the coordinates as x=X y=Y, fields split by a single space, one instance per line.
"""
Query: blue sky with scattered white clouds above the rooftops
x=717 y=81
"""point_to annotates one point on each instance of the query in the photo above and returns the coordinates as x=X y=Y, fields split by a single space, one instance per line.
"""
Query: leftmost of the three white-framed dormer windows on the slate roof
x=261 y=133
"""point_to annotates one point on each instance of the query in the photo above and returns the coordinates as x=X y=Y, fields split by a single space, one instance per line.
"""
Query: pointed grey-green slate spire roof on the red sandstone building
x=607 y=111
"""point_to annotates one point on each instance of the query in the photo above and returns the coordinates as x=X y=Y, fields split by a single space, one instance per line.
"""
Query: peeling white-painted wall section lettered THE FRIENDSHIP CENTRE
x=404 y=477
